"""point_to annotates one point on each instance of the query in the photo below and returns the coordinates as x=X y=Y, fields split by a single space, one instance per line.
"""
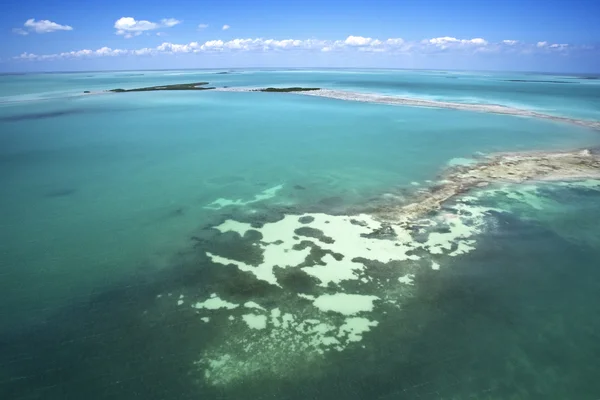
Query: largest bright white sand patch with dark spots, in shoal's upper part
x=349 y=242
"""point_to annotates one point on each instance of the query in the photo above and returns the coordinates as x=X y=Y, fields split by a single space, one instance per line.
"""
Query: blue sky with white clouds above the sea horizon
x=83 y=35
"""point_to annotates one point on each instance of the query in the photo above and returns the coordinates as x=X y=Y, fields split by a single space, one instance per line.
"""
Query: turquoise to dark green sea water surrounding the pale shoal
x=109 y=202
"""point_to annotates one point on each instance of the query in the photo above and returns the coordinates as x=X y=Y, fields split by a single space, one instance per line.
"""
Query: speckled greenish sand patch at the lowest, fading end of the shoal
x=250 y=351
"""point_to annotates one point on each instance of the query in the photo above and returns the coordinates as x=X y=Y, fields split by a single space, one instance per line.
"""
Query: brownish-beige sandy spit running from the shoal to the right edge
x=499 y=168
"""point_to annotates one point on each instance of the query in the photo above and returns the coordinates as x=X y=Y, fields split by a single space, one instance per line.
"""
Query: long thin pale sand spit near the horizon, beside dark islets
x=413 y=102
